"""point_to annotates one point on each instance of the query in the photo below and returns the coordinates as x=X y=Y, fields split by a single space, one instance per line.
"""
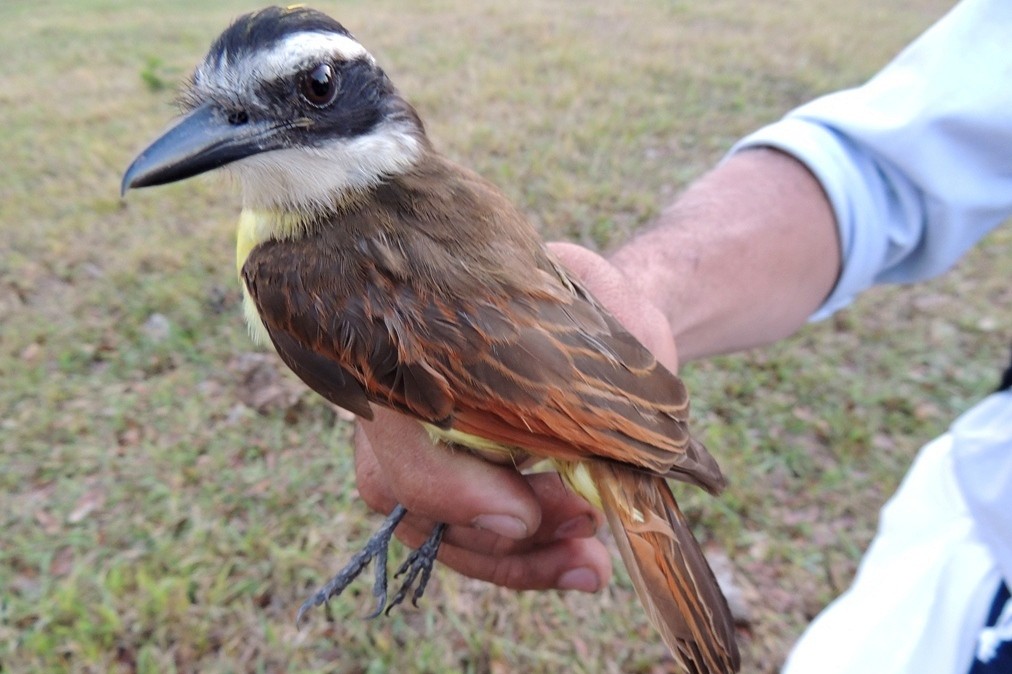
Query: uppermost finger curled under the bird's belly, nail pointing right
x=397 y=463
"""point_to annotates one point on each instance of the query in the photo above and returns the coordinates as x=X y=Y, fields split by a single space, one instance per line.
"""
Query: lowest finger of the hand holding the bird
x=571 y=564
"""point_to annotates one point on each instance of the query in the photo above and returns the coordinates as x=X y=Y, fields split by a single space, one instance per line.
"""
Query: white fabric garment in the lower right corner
x=925 y=585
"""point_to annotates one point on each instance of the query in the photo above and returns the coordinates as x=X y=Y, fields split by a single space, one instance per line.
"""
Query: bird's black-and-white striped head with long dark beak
x=295 y=108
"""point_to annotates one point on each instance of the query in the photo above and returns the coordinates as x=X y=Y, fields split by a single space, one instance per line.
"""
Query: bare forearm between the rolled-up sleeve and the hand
x=742 y=259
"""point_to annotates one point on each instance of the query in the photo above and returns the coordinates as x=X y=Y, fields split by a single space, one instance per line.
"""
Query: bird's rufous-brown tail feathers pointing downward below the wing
x=671 y=575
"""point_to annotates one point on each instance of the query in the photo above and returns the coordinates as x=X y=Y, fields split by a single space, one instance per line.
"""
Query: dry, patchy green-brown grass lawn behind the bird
x=168 y=497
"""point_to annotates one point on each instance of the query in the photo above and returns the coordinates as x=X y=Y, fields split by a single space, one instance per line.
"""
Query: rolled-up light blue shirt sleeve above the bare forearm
x=917 y=163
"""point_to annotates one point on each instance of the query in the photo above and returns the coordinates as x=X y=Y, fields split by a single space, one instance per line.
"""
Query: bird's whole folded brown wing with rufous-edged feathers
x=548 y=372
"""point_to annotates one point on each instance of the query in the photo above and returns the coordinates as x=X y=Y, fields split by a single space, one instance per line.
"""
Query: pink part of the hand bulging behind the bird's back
x=623 y=298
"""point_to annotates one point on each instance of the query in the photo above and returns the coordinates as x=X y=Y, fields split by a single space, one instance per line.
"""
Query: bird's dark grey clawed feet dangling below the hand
x=420 y=561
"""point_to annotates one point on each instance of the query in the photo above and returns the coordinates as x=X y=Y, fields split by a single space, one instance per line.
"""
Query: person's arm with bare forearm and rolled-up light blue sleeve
x=908 y=172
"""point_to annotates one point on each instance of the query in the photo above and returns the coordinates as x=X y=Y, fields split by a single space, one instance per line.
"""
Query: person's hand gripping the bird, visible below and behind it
x=520 y=532
